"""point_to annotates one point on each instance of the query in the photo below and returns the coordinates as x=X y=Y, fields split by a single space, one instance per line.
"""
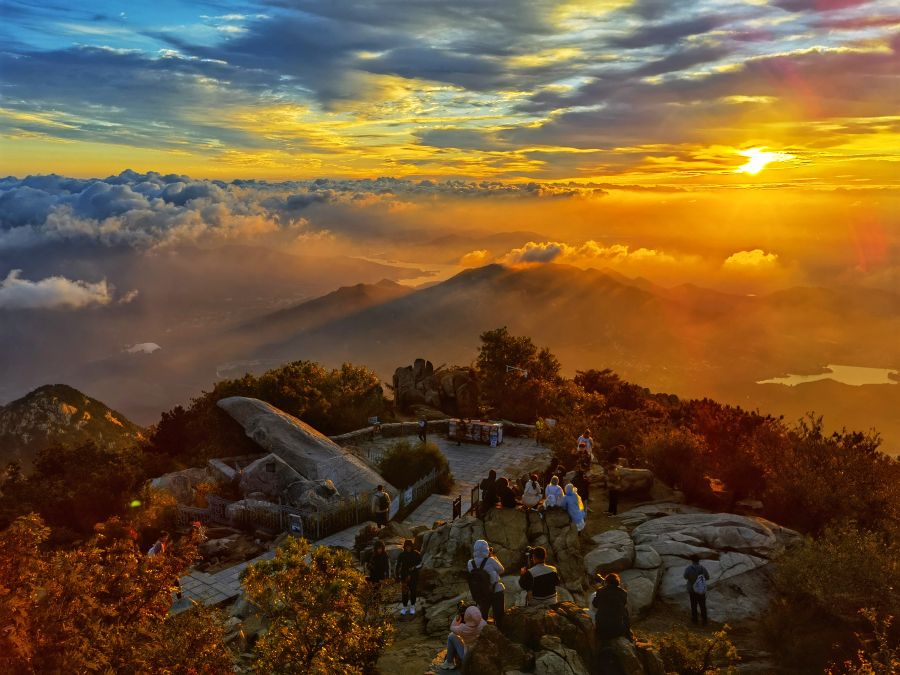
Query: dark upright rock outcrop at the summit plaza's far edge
x=452 y=392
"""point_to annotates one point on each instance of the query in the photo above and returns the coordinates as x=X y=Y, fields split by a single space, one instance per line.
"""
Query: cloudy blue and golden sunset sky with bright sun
x=748 y=144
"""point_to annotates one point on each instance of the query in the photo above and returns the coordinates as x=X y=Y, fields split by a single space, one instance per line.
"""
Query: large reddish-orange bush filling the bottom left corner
x=100 y=606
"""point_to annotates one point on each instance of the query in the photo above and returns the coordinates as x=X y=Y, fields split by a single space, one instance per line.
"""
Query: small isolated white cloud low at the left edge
x=51 y=293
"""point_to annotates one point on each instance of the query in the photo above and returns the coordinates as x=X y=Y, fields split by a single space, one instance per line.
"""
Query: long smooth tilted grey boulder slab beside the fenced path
x=309 y=453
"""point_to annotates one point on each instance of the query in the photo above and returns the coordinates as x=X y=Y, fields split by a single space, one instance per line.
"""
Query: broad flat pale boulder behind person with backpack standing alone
x=736 y=550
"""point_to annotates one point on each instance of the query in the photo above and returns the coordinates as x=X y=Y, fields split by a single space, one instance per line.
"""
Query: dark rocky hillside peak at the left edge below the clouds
x=57 y=412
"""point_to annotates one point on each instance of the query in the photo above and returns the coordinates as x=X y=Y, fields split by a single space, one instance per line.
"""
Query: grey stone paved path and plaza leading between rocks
x=469 y=464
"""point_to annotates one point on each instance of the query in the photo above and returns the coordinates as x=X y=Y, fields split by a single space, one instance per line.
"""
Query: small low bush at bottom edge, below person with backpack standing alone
x=686 y=653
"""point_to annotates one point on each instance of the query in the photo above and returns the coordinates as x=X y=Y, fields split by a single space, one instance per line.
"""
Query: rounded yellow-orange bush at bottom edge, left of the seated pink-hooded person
x=324 y=618
